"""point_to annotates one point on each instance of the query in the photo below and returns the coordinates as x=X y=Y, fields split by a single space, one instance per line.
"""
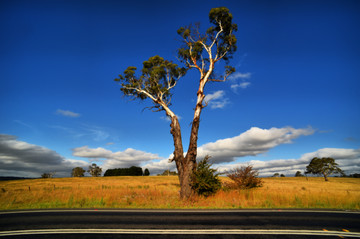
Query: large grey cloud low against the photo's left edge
x=19 y=158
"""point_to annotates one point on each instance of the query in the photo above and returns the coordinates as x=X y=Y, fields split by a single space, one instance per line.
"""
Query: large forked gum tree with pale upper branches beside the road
x=201 y=52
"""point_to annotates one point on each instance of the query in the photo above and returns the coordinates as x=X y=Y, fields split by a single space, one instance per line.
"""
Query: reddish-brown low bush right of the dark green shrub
x=244 y=178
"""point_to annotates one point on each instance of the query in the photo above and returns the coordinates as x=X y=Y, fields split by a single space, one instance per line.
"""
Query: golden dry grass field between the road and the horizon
x=162 y=192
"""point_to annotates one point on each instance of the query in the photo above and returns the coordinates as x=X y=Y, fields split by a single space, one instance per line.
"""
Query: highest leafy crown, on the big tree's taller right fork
x=219 y=42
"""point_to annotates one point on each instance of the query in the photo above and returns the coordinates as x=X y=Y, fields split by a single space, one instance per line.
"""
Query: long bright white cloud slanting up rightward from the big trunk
x=250 y=143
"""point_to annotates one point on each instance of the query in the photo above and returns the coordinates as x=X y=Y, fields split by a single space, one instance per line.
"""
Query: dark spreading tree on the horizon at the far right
x=324 y=167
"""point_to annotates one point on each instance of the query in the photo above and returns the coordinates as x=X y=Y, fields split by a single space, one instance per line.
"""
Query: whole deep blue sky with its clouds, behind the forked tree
x=295 y=94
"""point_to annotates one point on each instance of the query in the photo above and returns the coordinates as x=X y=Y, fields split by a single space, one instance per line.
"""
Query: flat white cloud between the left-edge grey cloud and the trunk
x=120 y=159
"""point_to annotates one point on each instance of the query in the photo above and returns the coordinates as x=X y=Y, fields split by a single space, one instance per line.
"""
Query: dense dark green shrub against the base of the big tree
x=205 y=180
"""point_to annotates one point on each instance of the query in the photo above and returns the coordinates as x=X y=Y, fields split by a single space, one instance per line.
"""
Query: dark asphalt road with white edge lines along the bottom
x=106 y=223
